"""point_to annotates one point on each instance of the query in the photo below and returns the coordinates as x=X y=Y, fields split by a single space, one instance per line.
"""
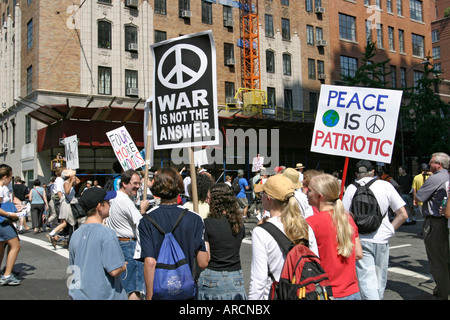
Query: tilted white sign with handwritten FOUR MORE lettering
x=125 y=149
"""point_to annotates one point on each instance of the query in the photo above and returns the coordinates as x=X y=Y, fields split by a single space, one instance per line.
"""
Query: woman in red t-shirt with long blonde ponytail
x=337 y=236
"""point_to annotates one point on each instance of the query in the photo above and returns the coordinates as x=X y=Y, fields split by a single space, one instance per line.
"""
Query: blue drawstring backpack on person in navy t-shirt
x=173 y=278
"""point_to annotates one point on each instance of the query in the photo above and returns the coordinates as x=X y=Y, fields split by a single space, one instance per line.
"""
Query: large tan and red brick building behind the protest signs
x=85 y=67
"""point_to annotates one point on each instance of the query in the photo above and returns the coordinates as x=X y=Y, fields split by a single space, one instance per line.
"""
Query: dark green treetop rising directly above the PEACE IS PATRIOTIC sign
x=369 y=73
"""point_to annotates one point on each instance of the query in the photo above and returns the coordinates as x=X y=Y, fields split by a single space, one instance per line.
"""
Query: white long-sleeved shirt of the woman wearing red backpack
x=267 y=255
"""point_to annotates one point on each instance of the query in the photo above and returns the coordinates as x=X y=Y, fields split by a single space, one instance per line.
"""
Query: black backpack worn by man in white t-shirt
x=365 y=209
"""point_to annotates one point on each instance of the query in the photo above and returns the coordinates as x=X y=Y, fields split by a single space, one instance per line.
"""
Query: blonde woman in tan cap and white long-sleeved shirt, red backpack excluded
x=267 y=256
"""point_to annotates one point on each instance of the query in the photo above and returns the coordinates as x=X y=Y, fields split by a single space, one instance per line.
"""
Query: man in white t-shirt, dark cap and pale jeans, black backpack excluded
x=372 y=268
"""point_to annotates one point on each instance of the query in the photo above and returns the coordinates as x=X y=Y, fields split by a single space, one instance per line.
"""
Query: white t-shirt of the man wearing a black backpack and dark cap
x=387 y=197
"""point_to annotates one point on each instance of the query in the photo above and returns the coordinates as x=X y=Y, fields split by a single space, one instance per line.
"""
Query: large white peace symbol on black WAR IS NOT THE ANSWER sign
x=179 y=68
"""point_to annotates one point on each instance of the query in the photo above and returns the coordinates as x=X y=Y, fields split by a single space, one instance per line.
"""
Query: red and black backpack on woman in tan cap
x=302 y=276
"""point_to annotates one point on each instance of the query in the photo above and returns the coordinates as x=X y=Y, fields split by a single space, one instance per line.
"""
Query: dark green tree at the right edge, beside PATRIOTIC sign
x=426 y=118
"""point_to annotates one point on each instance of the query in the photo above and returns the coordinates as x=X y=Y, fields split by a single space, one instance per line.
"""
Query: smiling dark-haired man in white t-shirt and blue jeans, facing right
x=123 y=218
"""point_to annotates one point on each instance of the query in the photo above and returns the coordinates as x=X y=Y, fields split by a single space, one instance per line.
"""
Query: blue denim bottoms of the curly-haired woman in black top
x=221 y=285
